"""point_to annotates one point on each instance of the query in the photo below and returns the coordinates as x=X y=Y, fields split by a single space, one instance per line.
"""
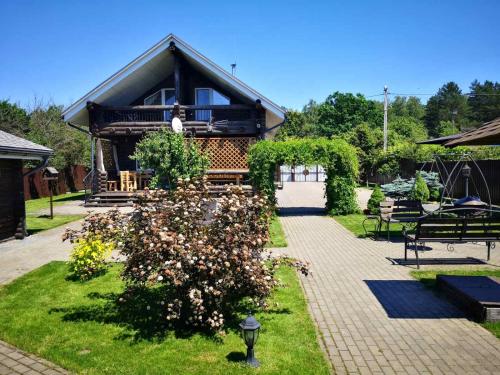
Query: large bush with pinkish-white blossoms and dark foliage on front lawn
x=206 y=254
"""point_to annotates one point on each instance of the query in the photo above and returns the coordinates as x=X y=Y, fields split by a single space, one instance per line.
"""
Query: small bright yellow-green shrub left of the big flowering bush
x=88 y=257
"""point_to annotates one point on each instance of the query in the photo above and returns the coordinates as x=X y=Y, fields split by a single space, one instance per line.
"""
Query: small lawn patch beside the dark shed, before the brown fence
x=36 y=223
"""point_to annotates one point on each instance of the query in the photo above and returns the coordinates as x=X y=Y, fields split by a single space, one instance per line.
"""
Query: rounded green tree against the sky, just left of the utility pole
x=341 y=112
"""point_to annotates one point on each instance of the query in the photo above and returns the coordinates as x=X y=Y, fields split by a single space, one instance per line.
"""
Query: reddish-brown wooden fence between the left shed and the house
x=70 y=179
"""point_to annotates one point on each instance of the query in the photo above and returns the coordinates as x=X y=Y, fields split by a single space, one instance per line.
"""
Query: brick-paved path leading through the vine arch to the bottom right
x=374 y=318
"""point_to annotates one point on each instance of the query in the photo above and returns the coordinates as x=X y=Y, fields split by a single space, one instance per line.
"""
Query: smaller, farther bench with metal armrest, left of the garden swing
x=400 y=211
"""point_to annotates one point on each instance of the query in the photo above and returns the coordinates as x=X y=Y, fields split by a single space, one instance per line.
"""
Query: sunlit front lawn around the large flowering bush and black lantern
x=77 y=326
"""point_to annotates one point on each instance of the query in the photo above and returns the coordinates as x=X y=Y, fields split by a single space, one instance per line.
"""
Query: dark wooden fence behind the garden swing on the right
x=490 y=169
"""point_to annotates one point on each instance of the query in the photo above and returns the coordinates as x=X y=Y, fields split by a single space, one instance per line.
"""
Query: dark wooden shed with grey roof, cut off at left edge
x=13 y=151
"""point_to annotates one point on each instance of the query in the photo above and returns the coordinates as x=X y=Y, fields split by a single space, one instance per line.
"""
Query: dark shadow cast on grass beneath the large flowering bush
x=142 y=315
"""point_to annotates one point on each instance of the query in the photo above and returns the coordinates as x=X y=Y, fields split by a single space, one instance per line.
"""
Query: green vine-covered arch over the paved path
x=337 y=157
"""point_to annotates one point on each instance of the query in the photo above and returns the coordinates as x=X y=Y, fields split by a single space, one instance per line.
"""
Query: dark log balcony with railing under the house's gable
x=233 y=119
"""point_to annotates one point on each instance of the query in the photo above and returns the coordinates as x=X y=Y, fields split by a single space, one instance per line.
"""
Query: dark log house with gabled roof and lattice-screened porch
x=169 y=80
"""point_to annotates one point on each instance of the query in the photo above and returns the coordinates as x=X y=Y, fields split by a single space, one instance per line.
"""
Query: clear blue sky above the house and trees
x=291 y=51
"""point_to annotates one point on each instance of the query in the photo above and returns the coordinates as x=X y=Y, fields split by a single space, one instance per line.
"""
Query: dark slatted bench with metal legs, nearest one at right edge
x=481 y=225
